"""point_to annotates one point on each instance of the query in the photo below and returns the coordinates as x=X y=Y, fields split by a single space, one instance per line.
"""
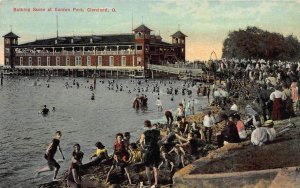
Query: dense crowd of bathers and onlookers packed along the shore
x=271 y=87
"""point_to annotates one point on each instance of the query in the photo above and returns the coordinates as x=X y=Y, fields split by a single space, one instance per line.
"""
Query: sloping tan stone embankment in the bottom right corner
x=245 y=165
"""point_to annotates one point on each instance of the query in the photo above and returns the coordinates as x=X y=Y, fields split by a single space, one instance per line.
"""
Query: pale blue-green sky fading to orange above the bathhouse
x=206 y=23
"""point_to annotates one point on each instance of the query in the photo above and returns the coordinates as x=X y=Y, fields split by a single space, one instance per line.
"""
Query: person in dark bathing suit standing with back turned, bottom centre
x=149 y=142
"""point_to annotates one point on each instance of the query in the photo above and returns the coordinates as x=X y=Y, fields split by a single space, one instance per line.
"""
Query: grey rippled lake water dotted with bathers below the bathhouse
x=25 y=133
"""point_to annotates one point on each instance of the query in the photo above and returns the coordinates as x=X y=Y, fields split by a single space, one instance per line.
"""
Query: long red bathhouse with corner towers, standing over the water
x=86 y=54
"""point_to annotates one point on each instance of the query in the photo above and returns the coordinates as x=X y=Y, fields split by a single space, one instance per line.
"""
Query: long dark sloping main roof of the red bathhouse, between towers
x=91 y=40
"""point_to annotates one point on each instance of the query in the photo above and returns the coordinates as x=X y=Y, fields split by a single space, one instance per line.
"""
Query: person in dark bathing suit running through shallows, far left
x=49 y=156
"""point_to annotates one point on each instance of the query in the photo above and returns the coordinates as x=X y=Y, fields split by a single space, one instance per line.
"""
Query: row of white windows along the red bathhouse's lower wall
x=78 y=61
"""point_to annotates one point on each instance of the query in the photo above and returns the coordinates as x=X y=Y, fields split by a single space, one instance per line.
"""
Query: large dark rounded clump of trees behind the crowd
x=256 y=43
